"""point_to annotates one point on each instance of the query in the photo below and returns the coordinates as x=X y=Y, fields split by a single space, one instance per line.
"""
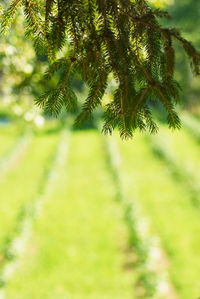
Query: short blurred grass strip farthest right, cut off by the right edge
x=181 y=153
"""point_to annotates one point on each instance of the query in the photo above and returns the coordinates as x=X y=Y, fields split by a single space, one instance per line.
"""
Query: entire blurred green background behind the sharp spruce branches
x=84 y=215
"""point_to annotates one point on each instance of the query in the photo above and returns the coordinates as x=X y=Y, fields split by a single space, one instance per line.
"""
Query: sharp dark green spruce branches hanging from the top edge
x=102 y=37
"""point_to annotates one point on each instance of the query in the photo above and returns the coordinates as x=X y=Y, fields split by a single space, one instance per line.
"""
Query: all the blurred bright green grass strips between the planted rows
x=77 y=247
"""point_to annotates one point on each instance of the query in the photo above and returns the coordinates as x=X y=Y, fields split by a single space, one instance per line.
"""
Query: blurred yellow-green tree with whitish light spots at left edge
x=20 y=67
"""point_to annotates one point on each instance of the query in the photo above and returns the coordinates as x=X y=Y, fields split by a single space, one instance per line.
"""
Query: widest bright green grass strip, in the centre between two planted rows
x=76 y=250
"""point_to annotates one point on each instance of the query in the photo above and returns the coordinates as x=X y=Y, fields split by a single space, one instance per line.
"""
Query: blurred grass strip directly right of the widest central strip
x=167 y=205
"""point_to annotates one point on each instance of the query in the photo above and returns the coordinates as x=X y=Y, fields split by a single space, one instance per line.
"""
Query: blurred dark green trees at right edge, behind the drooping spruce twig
x=186 y=16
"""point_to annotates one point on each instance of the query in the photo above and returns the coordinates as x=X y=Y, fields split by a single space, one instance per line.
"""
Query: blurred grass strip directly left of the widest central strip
x=21 y=184
